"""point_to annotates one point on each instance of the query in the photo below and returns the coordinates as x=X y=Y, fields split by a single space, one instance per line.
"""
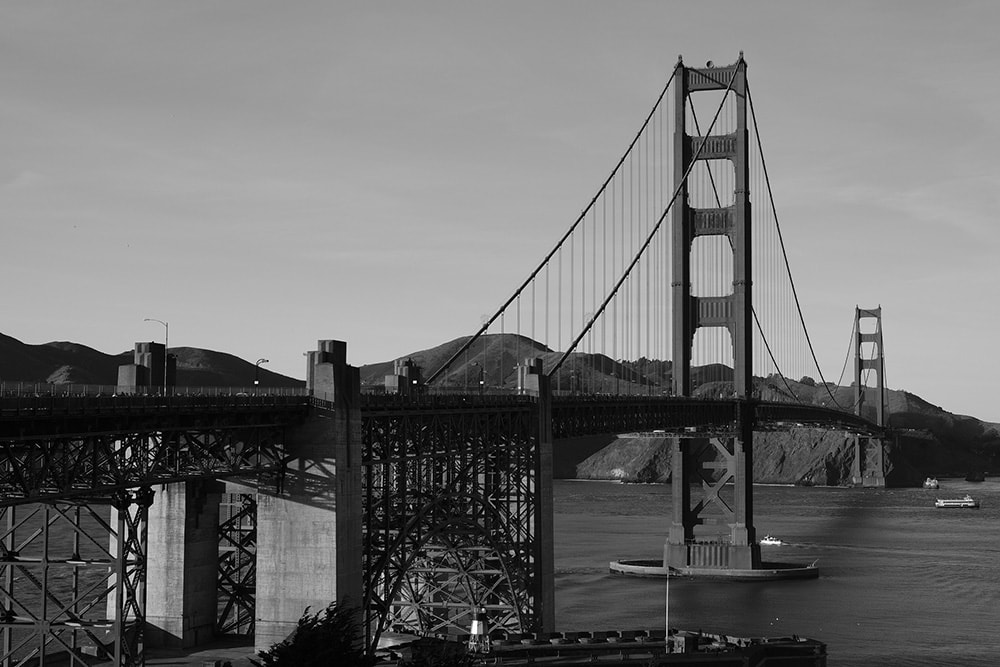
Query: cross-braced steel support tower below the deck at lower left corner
x=72 y=581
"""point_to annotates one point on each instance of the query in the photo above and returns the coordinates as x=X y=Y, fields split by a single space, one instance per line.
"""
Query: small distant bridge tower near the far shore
x=869 y=453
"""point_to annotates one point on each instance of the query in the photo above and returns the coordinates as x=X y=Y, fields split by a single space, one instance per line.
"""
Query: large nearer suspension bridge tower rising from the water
x=739 y=548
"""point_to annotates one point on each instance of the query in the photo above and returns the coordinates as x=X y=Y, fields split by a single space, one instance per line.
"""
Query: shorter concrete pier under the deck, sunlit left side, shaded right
x=182 y=564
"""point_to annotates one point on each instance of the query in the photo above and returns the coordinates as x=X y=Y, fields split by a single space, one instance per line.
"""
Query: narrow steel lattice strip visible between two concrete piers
x=237 y=564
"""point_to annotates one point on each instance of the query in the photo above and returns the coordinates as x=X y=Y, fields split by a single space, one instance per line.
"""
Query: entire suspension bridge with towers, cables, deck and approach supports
x=667 y=309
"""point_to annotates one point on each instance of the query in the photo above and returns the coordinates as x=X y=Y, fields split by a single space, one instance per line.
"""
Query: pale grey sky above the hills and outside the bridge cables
x=263 y=175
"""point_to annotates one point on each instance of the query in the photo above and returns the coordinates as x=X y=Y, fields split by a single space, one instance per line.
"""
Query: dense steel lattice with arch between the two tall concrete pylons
x=450 y=503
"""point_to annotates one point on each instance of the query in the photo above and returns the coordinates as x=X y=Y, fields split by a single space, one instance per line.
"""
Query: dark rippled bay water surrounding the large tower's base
x=901 y=583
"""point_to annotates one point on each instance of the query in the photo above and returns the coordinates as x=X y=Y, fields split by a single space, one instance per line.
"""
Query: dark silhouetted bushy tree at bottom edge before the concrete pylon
x=330 y=637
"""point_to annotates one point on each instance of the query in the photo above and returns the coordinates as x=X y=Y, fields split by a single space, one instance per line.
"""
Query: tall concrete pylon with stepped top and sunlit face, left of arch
x=309 y=532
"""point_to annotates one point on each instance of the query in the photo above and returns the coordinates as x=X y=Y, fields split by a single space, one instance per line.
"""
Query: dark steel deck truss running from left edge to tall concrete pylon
x=58 y=448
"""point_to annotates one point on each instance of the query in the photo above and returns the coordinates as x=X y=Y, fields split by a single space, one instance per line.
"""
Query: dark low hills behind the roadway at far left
x=64 y=363
